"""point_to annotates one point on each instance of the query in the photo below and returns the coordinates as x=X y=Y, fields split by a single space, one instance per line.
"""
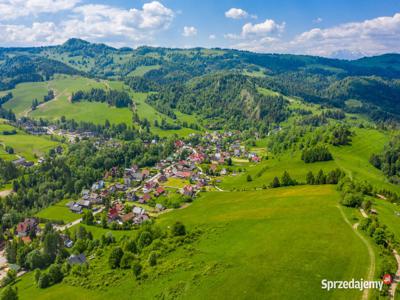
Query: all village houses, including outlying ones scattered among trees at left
x=126 y=198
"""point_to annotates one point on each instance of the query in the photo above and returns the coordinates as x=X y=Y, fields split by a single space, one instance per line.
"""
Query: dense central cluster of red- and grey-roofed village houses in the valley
x=133 y=195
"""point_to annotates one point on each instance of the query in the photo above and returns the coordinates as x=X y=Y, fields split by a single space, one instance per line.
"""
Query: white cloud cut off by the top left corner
x=13 y=9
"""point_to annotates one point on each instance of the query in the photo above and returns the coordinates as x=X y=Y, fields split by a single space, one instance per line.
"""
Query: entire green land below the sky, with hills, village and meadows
x=218 y=183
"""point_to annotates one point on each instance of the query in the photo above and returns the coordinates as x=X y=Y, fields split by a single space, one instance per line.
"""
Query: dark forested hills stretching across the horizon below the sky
x=181 y=76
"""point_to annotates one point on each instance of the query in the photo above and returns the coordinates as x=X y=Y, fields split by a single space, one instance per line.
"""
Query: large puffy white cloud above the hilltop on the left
x=97 y=23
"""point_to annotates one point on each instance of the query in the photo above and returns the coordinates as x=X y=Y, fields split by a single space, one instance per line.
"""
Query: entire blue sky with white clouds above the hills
x=340 y=28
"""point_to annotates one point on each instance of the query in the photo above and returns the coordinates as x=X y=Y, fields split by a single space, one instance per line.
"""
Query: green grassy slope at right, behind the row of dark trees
x=354 y=159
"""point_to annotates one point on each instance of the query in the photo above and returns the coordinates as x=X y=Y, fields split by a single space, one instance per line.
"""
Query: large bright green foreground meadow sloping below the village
x=275 y=244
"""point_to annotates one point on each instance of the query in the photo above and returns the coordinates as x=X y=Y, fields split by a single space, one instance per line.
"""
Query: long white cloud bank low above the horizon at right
x=349 y=40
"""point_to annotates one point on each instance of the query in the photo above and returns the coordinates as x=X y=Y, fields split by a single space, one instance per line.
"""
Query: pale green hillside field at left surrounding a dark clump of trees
x=86 y=111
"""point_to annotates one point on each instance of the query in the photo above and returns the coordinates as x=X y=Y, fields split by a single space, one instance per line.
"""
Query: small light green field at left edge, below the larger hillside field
x=28 y=146
